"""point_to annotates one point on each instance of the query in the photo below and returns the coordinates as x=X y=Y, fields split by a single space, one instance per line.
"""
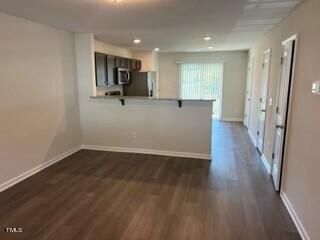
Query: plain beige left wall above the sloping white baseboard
x=38 y=95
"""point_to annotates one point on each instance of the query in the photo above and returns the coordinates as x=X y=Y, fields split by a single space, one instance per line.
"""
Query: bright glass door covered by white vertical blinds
x=202 y=81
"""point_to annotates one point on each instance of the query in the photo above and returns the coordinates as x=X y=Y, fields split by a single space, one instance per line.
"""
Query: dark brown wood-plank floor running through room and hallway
x=102 y=195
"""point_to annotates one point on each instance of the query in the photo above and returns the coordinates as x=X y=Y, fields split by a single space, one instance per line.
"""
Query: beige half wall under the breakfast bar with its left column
x=140 y=124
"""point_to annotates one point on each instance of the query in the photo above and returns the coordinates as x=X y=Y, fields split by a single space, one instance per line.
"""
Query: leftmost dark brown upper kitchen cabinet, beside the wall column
x=101 y=69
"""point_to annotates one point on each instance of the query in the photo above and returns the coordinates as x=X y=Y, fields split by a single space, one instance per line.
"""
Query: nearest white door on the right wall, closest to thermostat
x=282 y=110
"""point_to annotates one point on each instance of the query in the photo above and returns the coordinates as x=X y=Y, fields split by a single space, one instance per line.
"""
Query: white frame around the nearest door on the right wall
x=289 y=107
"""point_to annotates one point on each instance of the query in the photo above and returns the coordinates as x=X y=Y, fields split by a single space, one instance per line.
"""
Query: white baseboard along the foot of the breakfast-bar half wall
x=148 y=151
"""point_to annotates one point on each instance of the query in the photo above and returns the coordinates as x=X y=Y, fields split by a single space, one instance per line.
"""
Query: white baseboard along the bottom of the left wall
x=37 y=169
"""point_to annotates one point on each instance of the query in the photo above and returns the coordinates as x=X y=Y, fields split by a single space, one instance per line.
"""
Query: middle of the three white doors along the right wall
x=263 y=99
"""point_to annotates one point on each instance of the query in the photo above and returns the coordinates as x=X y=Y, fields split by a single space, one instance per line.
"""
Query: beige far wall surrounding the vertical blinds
x=235 y=64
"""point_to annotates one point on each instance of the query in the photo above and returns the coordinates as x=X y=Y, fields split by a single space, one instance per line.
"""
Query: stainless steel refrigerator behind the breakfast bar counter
x=141 y=84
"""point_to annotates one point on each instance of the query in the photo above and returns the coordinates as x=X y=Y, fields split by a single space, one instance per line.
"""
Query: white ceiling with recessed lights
x=172 y=25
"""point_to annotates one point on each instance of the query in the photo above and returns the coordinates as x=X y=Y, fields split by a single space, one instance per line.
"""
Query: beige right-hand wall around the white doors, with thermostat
x=301 y=166
